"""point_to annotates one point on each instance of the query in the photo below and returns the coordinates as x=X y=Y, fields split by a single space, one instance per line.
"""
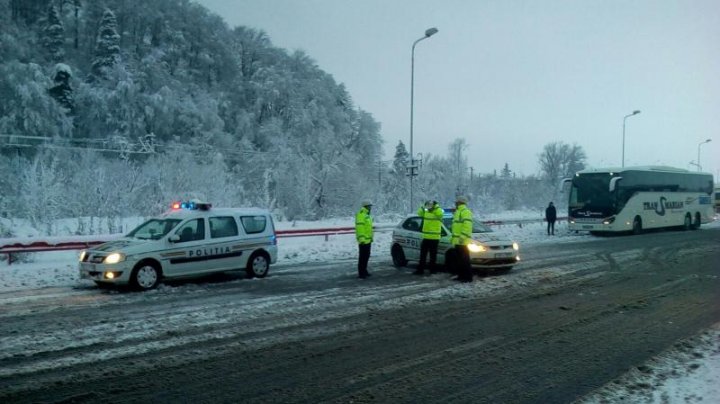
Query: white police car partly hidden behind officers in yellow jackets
x=487 y=250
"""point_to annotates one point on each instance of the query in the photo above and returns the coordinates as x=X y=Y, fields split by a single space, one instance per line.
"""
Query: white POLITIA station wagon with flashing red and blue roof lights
x=191 y=239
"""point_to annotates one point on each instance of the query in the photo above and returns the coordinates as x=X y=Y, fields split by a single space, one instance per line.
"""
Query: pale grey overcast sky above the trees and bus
x=512 y=76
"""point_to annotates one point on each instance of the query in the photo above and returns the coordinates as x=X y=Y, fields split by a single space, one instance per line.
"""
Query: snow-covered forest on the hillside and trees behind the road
x=113 y=108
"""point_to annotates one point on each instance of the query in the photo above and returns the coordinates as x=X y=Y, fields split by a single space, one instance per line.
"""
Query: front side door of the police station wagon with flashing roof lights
x=187 y=255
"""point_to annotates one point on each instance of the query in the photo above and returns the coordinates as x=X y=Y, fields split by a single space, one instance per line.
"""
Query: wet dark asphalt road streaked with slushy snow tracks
x=575 y=316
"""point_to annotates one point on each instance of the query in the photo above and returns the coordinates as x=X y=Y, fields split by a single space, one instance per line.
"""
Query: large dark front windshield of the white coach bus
x=590 y=195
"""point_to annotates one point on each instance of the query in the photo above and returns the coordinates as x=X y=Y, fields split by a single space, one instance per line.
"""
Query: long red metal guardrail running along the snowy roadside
x=82 y=242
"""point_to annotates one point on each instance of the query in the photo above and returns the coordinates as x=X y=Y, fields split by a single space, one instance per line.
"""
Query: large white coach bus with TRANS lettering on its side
x=637 y=198
